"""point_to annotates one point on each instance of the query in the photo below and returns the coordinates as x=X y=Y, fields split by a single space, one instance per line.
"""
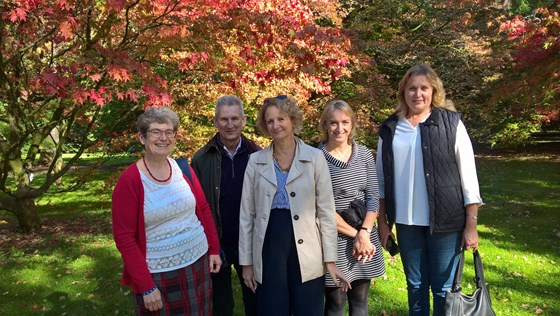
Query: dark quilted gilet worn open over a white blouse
x=443 y=180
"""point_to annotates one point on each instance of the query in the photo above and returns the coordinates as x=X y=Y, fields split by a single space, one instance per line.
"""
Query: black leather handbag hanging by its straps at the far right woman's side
x=478 y=303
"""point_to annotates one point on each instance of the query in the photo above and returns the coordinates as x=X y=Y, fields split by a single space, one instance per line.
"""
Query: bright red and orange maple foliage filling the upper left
x=83 y=69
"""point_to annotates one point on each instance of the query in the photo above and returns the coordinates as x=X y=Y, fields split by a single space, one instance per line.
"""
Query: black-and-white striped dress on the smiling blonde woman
x=356 y=178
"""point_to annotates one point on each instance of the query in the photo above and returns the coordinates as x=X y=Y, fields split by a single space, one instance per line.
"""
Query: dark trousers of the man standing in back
x=222 y=290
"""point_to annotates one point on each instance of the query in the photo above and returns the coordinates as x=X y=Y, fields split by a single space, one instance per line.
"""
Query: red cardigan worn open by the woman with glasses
x=130 y=234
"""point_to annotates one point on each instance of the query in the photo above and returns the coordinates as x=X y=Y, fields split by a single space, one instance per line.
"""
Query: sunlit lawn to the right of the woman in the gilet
x=520 y=233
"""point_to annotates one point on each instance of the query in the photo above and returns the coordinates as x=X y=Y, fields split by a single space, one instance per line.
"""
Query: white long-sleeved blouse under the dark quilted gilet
x=411 y=195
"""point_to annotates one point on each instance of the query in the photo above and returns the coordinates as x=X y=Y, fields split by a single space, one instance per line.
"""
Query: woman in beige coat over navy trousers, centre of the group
x=287 y=231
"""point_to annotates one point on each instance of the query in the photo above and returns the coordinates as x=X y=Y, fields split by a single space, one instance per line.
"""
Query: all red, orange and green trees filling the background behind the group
x=74 y=75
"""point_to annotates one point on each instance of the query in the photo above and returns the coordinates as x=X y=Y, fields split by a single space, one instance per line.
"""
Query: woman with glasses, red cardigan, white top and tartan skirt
x=163 y=227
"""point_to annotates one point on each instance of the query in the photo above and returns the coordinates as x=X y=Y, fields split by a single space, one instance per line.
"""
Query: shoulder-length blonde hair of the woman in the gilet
x=438 y=96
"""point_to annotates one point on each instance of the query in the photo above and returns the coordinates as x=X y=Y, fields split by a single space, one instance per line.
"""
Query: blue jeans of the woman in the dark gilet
x=429 y=260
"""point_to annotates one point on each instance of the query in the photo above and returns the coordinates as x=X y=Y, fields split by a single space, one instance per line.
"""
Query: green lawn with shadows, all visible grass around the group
x=73 y=267
